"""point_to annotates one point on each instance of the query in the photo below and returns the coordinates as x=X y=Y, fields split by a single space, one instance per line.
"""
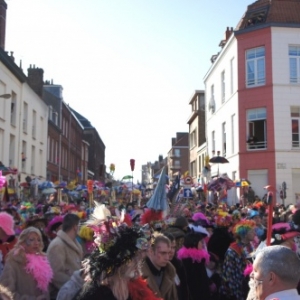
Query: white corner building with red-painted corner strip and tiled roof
x=253 y=89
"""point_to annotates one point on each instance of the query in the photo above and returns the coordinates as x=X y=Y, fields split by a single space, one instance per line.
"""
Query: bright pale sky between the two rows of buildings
x=129 y=66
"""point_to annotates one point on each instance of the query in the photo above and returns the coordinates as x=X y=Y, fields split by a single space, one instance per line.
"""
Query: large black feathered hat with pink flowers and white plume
x=116 y=244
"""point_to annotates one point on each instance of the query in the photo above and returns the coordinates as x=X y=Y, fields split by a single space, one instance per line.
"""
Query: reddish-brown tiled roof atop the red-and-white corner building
x=271 y=11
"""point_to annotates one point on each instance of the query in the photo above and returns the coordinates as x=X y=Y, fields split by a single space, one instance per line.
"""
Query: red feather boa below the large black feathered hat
x=139 y=290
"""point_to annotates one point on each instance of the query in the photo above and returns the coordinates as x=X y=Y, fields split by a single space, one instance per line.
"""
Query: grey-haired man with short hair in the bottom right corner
x=276 y=274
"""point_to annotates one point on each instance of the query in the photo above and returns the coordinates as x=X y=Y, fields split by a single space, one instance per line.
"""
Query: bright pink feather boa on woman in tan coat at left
x=39 y=267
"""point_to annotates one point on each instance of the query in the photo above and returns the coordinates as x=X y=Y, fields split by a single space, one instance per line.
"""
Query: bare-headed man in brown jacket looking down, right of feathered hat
x=157 y=269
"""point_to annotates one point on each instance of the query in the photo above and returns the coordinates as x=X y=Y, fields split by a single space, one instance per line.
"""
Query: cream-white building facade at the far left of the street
x=23 y=123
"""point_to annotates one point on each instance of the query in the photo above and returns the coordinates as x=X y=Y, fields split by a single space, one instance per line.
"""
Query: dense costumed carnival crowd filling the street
x=128 y=251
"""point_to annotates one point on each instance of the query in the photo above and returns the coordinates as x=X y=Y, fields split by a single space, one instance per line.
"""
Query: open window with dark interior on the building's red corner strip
x=257 y=128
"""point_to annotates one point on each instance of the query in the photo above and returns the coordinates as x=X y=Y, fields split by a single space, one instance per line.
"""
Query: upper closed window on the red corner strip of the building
x=255 y=66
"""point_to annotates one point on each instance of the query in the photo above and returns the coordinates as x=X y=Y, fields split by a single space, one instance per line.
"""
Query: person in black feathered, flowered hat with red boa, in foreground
x=112 y=271
